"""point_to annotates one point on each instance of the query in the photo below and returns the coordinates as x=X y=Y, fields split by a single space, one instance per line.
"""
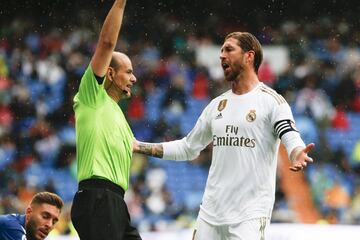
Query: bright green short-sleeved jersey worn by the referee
x=103 y=136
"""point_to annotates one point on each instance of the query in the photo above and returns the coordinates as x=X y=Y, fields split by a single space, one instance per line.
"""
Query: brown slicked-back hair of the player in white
x=248 y=42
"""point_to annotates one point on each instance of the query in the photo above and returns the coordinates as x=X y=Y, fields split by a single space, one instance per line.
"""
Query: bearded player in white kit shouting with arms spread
x=245 y=126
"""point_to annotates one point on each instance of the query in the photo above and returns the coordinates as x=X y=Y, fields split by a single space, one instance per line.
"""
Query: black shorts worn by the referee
x=99 y=212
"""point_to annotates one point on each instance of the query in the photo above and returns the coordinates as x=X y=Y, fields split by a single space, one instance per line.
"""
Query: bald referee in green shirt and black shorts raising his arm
x=104 y=139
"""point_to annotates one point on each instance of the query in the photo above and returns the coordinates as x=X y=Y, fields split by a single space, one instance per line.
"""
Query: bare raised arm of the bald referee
x=108 y=38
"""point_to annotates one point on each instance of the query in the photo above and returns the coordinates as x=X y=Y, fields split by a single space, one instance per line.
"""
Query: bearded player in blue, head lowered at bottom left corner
x=39 y=219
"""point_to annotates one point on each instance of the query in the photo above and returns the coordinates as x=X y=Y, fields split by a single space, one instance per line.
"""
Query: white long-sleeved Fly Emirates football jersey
x=245 y=132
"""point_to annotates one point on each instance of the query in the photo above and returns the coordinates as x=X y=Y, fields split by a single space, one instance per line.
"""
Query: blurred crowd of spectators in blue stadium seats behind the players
x=40 y=71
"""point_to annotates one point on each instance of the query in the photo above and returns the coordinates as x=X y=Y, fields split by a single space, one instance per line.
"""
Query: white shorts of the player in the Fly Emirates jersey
x=254 y=229
